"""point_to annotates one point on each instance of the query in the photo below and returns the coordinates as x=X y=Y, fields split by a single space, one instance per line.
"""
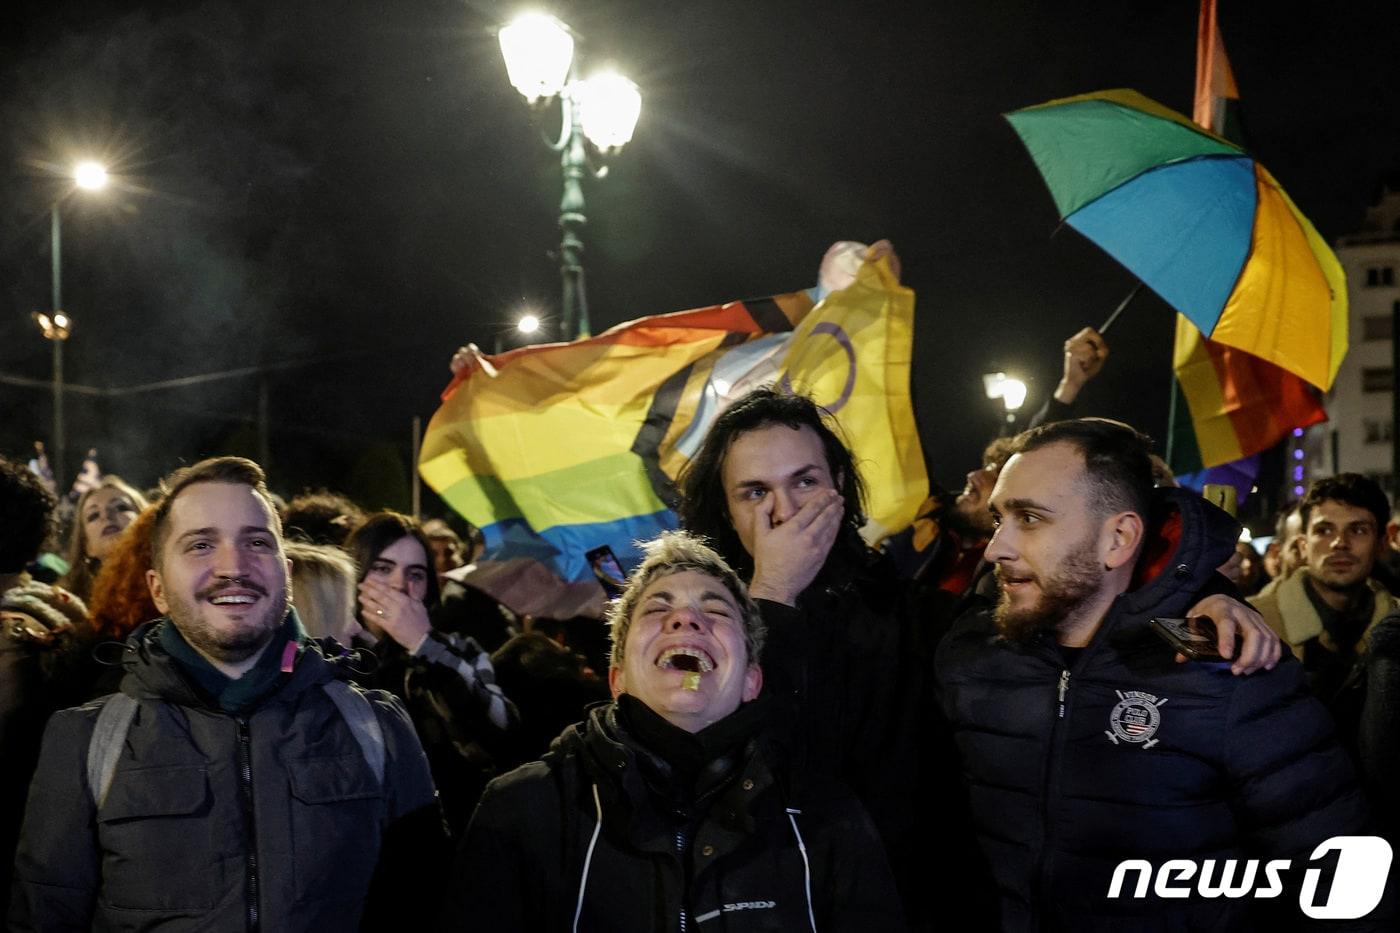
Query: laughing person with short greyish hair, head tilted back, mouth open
x=664 y=810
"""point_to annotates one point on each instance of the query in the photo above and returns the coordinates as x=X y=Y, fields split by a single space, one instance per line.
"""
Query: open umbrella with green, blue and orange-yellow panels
x=1199 y=221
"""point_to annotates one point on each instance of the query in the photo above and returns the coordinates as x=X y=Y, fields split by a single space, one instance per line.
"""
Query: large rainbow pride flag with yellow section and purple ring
x=555 y=450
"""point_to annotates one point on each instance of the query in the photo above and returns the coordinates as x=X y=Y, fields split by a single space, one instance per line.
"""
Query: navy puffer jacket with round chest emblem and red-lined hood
x=1130 y=756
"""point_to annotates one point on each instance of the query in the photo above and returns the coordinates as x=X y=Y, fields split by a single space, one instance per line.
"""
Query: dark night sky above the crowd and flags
x=351 y=190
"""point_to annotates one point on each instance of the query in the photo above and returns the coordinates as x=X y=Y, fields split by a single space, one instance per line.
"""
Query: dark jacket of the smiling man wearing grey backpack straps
x=271 y=820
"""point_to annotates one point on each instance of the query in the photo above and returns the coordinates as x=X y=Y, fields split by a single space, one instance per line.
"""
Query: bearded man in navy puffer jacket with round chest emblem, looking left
x=1084 y=742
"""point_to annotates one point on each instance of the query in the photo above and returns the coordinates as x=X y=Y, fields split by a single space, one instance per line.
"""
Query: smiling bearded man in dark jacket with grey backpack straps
x=232 y=785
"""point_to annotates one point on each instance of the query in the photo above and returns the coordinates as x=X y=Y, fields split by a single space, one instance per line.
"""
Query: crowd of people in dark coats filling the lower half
x=293 y=715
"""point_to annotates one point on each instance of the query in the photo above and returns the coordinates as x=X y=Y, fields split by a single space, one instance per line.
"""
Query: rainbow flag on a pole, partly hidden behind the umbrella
x=1238 y=404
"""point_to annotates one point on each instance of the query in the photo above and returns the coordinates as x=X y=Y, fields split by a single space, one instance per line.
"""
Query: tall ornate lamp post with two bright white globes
x=601 y=110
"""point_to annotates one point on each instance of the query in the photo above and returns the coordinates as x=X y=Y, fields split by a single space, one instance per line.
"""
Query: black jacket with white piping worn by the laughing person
x=530 y=859
